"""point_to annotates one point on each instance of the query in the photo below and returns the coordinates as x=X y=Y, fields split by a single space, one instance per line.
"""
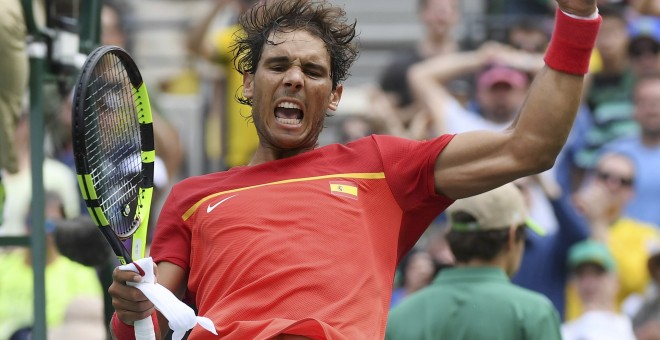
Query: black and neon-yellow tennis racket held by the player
x=113 y=147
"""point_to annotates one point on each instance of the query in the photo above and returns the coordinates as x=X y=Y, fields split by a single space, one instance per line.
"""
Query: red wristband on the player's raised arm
x=572 y=43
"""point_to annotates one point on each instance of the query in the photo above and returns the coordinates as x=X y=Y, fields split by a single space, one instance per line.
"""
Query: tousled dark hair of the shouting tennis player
x=318 y=17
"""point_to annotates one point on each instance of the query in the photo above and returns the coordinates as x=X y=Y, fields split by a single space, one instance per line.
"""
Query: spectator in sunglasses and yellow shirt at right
x=602 y=201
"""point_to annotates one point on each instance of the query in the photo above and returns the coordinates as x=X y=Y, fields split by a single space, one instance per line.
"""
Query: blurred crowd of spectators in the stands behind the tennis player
x=603 y=190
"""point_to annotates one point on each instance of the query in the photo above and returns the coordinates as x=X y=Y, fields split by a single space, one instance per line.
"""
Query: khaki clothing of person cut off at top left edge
x=14 y=80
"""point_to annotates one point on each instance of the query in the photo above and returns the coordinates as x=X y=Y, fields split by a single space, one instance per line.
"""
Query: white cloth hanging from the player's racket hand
x=180 y=316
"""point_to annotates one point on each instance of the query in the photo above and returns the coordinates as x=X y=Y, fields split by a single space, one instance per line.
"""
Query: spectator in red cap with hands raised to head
x=501 y=88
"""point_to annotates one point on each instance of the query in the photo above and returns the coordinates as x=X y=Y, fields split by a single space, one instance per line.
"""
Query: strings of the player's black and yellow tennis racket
x=114 y=144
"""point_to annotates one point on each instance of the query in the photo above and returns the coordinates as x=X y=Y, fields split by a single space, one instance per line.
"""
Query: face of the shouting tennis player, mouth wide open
x=291 y=91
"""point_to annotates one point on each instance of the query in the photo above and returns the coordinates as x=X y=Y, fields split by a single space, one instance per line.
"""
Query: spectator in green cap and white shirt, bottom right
x=594 y=275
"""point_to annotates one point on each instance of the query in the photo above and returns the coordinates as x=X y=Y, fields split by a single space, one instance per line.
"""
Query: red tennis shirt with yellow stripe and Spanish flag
x=305 y=245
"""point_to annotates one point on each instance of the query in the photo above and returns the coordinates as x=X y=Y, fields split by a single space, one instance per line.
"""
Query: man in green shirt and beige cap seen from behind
x=475 y=299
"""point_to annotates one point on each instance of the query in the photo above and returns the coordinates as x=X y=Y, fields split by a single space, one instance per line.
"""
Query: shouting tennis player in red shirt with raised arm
x=303 y=242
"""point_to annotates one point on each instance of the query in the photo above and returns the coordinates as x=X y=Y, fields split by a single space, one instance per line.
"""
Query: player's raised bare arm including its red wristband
x=475 y=162
